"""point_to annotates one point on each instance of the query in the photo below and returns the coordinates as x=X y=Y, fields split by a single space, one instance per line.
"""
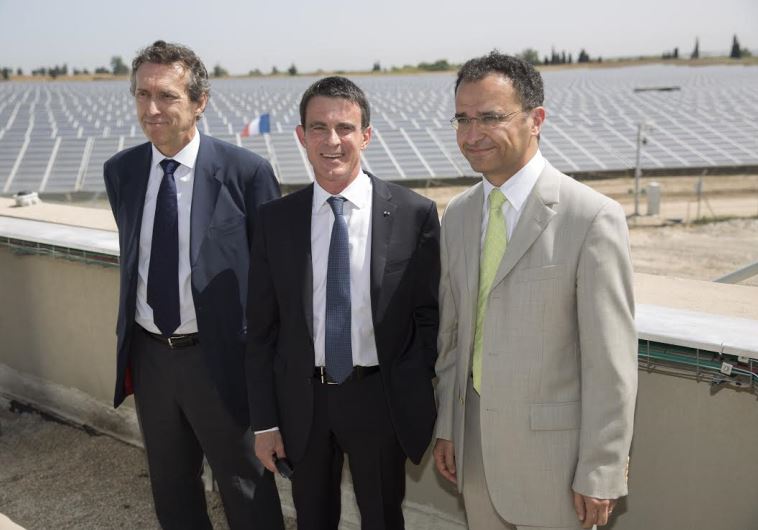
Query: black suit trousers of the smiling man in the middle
x=350 y=419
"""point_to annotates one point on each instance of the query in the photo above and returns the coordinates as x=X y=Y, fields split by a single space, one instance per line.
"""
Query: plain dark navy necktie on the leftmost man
x=163 y=275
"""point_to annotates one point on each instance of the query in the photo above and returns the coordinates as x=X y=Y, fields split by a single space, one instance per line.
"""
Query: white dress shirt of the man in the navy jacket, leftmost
x=184 y=176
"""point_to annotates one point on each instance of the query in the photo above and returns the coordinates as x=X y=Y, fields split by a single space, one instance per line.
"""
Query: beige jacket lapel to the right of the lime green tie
x=537 y=214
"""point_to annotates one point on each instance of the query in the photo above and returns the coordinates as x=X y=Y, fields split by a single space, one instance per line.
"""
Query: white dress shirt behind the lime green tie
x=516 y=190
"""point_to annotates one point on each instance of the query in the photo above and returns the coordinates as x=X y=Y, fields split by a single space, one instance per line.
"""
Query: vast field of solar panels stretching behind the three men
x=55 y=136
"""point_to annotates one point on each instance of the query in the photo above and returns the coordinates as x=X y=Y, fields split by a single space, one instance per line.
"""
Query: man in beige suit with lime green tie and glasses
x=537 y=347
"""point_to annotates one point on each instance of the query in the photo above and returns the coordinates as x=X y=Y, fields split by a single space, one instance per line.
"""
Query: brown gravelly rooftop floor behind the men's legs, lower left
x=55 y=476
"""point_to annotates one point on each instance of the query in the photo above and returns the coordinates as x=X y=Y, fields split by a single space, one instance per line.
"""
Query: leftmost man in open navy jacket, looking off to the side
x=185 y=206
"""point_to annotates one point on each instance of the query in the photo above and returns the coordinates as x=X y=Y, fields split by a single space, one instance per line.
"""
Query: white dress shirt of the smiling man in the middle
x=357 y=211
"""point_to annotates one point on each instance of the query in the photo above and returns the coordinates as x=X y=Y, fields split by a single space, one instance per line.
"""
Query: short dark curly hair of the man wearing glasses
x=527 y=82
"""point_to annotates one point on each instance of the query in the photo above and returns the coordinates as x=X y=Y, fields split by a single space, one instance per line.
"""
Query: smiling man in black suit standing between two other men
x=343 y=321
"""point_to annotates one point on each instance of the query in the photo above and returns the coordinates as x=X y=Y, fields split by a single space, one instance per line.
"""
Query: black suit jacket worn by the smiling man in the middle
x=405 y=268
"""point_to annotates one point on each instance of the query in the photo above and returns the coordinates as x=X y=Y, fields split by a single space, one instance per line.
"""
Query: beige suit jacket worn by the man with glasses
x=559 y=361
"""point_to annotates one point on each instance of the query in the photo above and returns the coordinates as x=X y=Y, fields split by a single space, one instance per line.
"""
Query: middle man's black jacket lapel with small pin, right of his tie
x=382 y=218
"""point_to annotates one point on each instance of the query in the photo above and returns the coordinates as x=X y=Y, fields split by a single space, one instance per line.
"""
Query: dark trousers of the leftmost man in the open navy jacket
x=182 y=417
